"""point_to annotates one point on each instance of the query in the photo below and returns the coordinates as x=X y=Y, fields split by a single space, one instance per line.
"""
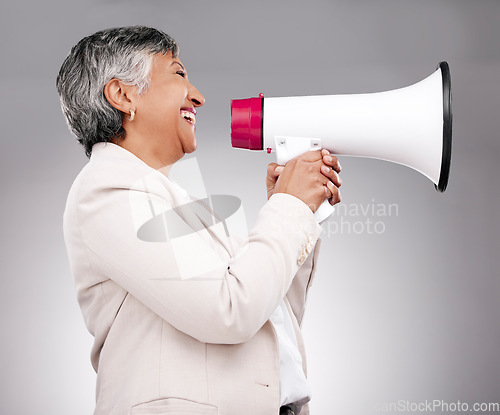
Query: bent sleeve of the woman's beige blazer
x=228 y=302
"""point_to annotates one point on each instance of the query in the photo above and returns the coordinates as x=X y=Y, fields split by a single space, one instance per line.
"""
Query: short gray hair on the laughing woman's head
x=124 y=53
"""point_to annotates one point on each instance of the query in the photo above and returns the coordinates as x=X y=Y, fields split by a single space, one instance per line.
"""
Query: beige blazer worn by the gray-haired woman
x=181 y=325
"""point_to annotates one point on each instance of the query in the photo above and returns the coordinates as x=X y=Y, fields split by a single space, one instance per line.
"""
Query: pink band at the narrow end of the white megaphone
x=246 y=123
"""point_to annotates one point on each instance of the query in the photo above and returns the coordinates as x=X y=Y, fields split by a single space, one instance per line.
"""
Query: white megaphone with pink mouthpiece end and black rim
x=411 y=126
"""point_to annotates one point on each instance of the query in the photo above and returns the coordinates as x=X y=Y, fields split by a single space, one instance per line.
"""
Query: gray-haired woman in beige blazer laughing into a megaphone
x=193 y=324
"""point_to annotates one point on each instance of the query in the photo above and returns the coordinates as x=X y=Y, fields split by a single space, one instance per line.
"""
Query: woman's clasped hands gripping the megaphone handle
x=312 y=177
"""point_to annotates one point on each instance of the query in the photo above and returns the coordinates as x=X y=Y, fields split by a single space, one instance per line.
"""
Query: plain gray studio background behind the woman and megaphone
x=408 y=314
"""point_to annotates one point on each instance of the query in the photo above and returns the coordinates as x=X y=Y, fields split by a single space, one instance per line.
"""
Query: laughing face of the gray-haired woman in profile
x=166 y=112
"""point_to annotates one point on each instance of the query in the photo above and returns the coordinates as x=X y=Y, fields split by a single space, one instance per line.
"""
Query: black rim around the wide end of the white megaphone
x=447 y=127
